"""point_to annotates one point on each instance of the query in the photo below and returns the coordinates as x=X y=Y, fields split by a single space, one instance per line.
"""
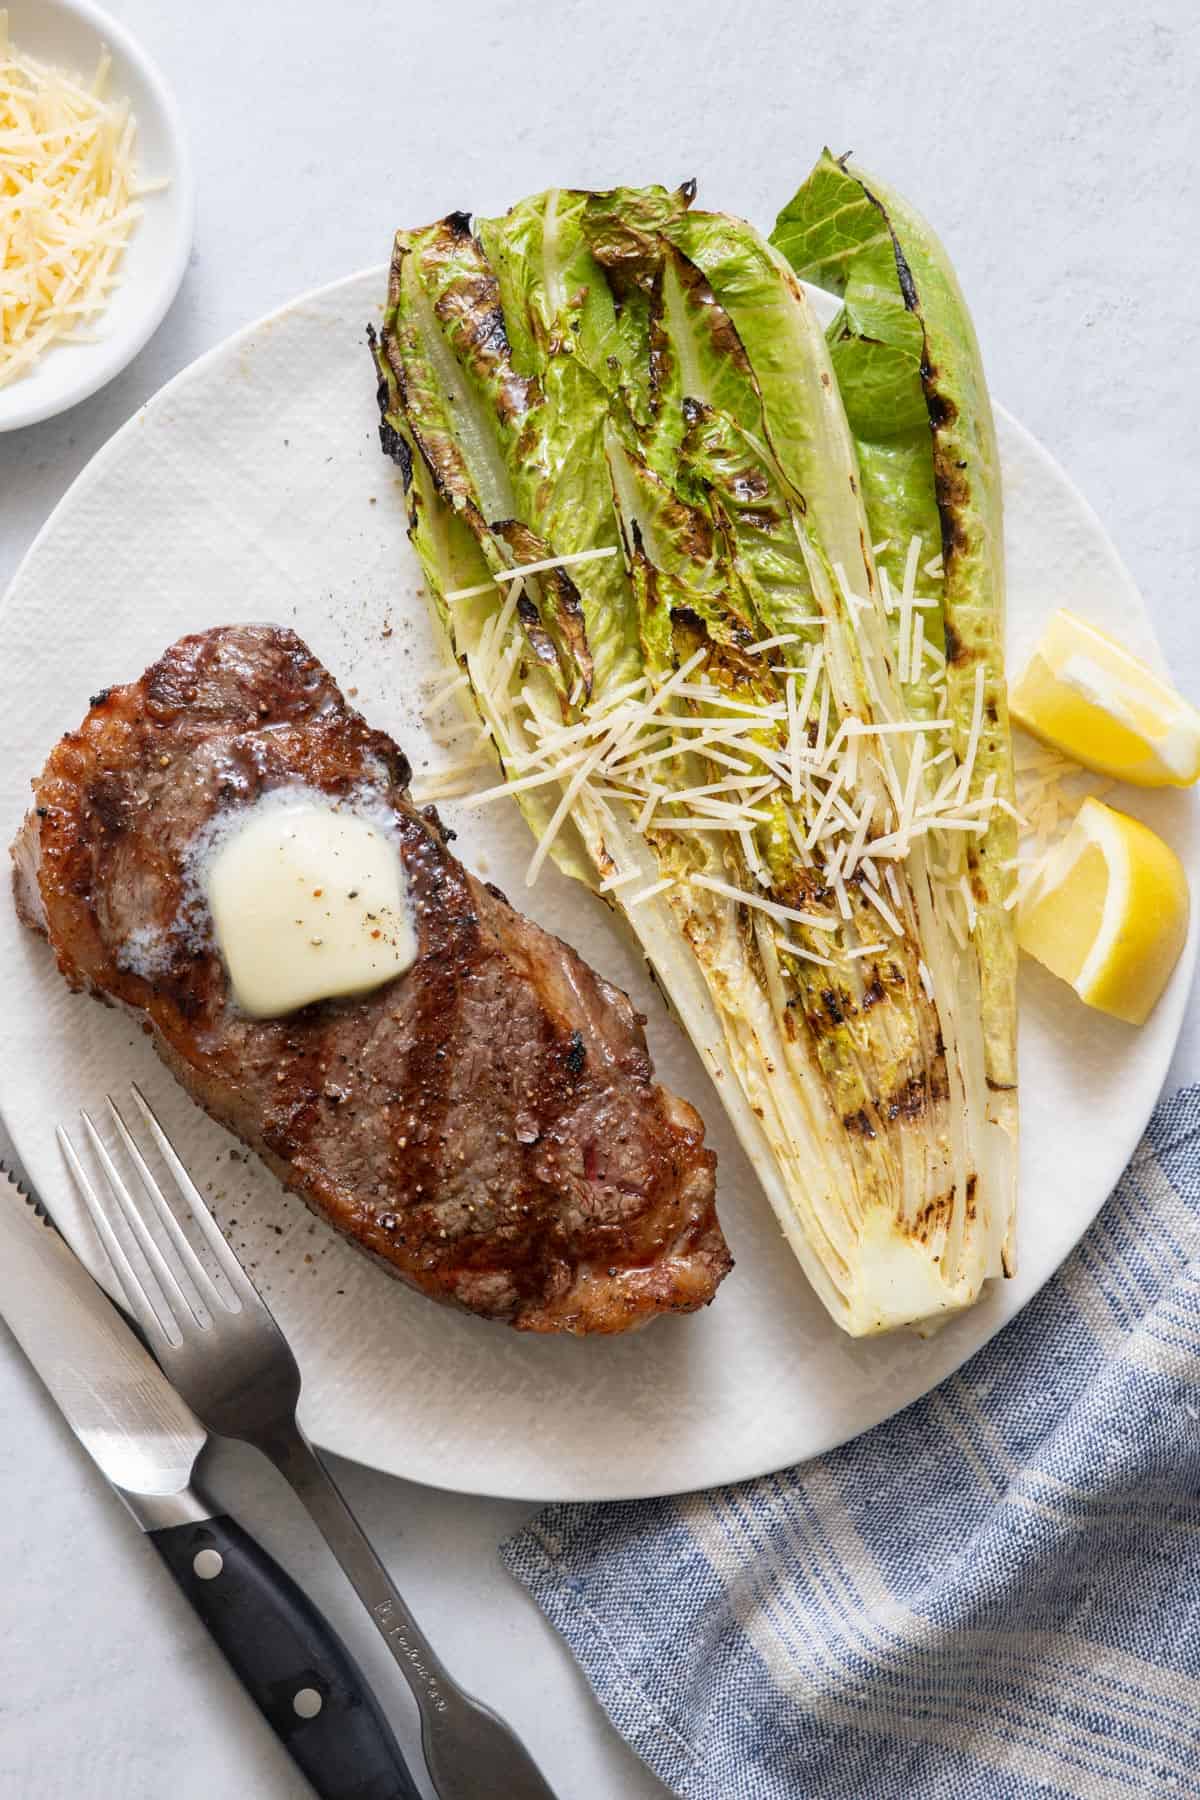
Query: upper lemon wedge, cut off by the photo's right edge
x=1098 y=705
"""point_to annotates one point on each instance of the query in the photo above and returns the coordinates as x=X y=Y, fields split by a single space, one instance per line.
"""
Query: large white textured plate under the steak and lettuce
x=253 y=489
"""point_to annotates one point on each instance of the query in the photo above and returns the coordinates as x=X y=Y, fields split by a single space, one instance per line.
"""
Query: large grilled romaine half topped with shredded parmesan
x=699 y=705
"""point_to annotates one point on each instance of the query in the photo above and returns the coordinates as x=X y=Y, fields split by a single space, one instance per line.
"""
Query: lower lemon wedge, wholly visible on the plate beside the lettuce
x=1109 y=912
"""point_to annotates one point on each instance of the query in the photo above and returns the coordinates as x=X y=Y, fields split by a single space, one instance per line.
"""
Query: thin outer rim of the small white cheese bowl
x=111 y=359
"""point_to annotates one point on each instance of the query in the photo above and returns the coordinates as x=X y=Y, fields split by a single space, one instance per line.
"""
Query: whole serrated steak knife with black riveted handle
x=145 y=1441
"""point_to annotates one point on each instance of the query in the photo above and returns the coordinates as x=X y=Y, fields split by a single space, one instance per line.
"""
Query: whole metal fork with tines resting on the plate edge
x=235 y=1369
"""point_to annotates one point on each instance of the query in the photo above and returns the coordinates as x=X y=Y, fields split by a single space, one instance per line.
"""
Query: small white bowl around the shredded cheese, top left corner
x=71 y=35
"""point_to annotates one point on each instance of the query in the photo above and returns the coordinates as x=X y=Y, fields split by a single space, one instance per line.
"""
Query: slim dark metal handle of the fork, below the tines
x=469 y=1750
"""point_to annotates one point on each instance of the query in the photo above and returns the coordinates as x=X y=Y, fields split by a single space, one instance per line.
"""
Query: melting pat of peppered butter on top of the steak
x=309 y=904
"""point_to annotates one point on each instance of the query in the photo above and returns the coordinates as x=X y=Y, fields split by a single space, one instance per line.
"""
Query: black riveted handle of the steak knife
x=291 y=1662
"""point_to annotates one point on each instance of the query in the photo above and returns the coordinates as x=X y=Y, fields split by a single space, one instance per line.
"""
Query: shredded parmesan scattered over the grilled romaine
x=800 y=764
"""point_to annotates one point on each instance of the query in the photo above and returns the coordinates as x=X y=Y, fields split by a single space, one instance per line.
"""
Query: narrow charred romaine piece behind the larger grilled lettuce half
x=913 y=384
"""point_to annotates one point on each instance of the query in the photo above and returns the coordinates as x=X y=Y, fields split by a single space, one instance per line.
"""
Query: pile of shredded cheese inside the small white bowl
x=69 y=201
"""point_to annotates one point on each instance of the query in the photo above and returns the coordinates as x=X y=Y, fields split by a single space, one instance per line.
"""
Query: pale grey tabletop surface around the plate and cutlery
x=1057 y=152
